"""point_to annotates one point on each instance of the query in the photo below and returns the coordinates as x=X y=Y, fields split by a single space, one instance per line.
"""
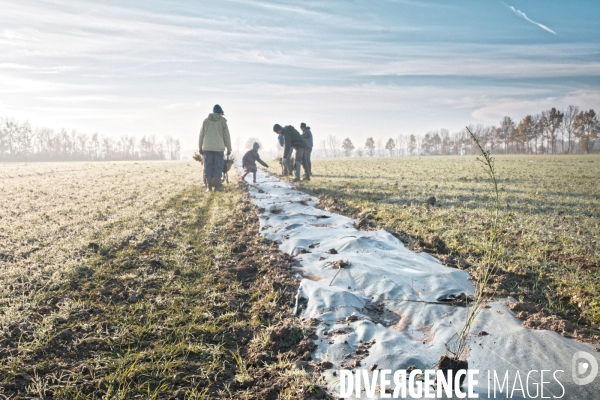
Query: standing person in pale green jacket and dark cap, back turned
x=214 y=139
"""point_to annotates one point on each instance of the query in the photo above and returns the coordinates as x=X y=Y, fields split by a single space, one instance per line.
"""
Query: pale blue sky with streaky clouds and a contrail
x=348 y=68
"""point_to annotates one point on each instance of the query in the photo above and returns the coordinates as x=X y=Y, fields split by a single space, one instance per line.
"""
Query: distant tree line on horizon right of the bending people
x=550 y=132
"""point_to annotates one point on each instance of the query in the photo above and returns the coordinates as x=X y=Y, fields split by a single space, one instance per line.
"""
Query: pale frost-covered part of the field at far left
x=54 y=212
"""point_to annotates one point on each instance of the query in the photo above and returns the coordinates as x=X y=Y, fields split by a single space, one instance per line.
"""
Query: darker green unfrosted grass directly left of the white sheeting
x=194 y=310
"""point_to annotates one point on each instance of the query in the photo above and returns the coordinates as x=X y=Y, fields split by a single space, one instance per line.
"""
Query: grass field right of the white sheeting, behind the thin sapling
x=550 y=253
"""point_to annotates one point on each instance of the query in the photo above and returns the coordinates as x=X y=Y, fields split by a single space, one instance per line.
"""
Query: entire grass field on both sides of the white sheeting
x=127 y=280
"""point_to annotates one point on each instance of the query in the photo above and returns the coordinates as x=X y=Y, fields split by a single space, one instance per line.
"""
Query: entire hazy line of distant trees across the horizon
x=550 y=132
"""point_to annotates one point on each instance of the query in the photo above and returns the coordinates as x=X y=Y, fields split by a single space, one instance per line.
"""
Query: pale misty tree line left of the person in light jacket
x=21 y=142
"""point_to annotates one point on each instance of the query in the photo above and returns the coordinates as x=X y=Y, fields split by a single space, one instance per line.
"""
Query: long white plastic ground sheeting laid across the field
x=387 y=301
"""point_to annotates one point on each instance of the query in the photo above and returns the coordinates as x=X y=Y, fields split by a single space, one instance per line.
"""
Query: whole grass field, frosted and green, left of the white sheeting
x=127 y=280
